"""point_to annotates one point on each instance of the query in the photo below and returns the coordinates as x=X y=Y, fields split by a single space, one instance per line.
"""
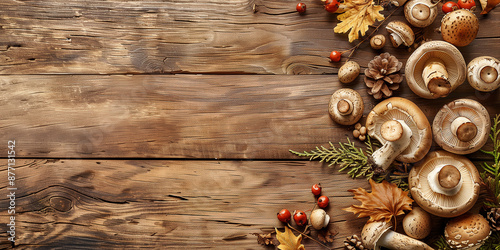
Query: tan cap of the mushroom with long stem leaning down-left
x=397 y=108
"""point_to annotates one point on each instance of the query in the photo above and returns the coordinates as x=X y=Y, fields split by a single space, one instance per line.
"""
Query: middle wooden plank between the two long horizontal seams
x=187 y=116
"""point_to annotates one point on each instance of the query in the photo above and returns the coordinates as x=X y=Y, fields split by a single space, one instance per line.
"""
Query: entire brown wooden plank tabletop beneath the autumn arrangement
x=167 y=124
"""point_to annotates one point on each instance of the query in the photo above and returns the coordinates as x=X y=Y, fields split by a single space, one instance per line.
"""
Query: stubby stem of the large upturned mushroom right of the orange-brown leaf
x=445 y=179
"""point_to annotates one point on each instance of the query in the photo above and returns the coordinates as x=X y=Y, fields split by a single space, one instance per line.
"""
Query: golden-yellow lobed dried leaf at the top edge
x=357 y=17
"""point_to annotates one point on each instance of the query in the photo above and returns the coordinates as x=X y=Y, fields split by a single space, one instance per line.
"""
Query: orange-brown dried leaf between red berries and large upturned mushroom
x=384 y=202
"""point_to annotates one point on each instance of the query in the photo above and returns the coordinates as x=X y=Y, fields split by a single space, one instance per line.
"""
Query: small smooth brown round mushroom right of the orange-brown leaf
x=417 y=223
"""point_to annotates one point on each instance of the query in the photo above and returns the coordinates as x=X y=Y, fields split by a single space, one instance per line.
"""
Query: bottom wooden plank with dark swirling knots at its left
x=167 y=204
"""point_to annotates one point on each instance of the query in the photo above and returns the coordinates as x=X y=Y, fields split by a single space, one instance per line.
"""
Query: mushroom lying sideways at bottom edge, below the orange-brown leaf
x=378 y=234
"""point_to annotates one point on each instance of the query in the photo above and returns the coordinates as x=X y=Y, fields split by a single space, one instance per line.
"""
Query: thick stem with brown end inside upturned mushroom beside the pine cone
x=435 y=77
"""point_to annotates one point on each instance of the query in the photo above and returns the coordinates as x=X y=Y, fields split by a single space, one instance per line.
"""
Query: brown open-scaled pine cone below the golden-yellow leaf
x=382 y=75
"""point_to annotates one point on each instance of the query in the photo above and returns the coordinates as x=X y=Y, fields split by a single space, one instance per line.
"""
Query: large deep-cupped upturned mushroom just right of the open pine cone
x=435 y=69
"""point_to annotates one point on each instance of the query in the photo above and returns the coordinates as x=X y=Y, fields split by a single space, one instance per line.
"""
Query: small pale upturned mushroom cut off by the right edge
x=483 y=73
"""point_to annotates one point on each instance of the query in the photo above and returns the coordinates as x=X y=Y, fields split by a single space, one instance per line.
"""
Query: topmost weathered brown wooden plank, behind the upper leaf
x=107 y=37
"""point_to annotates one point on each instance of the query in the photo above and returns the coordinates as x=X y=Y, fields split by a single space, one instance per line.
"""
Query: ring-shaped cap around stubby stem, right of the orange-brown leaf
x=440 y=204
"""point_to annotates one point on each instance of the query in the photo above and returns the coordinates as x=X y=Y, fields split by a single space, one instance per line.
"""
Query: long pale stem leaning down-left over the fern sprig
x=398 y=135
